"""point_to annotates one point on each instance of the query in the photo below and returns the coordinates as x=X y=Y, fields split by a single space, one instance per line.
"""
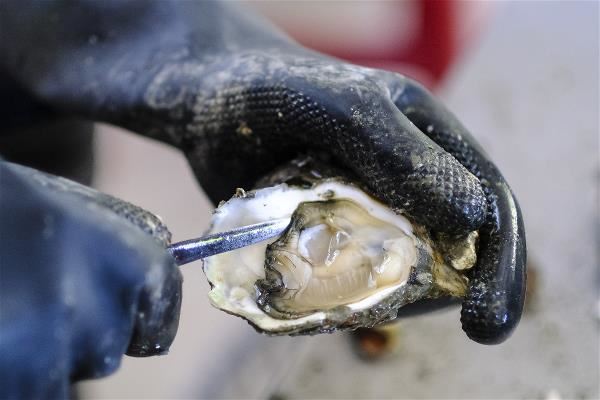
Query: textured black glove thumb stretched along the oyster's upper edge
x=264 y=126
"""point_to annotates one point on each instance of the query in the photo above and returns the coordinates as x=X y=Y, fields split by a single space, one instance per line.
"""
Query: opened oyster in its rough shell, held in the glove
x=345 y=261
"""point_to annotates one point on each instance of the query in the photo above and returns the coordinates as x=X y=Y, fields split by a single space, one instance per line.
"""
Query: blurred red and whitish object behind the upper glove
x=419 y=38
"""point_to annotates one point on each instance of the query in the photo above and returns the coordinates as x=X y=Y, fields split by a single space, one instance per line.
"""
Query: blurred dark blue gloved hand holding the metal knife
x=83 y=278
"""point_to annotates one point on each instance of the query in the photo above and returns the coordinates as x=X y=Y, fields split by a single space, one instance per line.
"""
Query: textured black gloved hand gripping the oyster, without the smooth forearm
x=257 y=109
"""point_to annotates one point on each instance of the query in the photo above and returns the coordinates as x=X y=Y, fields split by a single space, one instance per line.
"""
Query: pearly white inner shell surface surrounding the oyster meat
x=234 y=274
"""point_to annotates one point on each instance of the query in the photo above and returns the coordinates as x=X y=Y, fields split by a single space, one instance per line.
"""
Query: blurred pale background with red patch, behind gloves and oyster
x=523 y=77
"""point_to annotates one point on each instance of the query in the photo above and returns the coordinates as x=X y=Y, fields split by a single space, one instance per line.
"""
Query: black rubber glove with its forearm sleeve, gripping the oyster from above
x=239 y=98
